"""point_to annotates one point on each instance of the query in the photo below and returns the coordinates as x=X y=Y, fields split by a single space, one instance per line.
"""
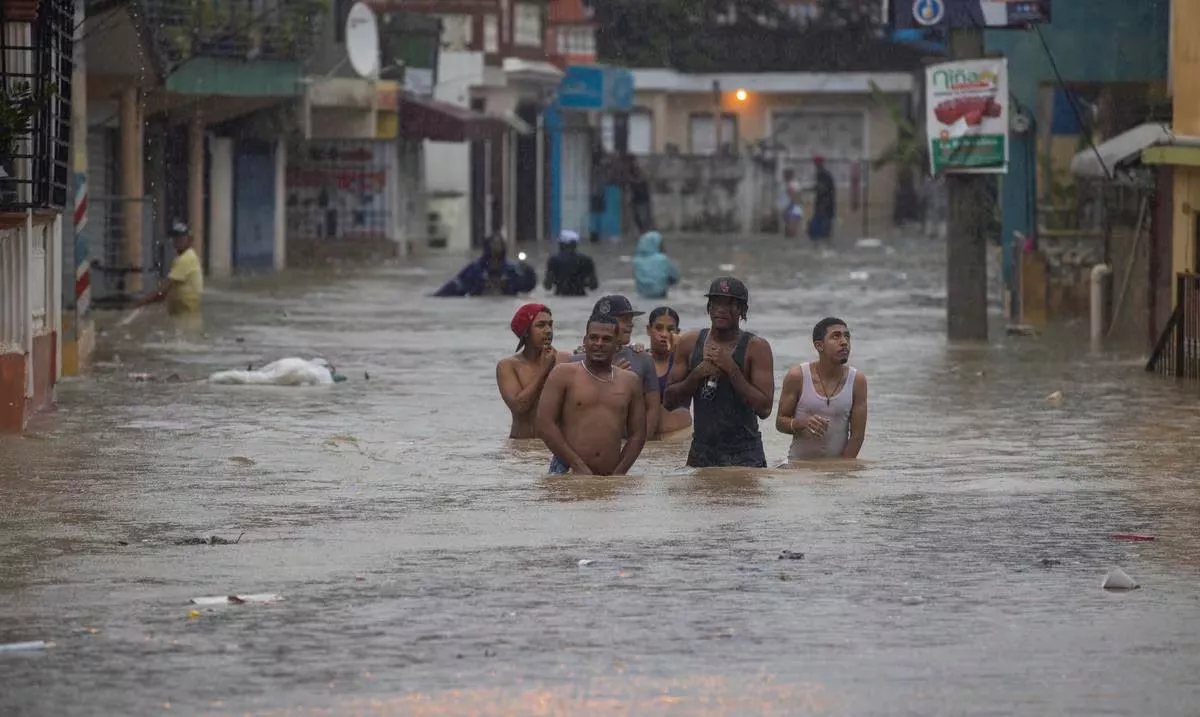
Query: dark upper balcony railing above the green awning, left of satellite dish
x=235 y=29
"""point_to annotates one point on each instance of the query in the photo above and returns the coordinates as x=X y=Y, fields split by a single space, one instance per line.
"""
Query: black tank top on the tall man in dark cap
x=725 y=430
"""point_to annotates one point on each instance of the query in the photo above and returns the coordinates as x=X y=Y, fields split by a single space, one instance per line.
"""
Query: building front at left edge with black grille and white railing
x=37 y=79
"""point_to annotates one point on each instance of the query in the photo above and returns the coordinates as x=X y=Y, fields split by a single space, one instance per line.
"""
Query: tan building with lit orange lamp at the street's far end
x=790 y=117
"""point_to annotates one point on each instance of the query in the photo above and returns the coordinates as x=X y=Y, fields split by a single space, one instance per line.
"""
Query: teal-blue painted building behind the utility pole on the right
x=1099 y=43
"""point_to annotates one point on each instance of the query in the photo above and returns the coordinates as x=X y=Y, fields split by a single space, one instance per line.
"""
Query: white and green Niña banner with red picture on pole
x=967 y=116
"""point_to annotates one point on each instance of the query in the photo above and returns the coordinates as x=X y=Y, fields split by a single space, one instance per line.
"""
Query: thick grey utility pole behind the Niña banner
x=967 y=245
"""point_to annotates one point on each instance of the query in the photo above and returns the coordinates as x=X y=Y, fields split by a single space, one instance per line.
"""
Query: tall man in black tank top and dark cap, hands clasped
x=729 y=375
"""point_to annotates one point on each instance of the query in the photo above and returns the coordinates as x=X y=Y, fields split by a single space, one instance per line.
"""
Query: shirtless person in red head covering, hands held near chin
x=523 y=377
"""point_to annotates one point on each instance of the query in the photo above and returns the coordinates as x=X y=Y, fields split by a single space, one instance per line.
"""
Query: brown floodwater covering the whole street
x=430 y=569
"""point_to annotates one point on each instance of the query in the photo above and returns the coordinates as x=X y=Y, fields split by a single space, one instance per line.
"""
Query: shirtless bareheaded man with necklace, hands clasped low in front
x=587 y=406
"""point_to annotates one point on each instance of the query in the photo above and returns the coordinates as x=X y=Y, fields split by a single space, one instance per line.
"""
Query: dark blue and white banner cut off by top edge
x=953 y=15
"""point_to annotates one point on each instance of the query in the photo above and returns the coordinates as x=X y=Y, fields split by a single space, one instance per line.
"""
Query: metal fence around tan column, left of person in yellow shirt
x=121 y=272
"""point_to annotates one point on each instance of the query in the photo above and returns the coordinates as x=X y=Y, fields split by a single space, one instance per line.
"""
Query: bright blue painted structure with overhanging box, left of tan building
x=585 y=91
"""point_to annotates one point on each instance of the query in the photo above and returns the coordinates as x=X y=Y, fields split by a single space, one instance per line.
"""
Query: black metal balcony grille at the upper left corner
x=37 y=68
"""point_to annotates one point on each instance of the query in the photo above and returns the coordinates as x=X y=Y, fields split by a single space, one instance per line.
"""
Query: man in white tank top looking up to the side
x=824 y=403
